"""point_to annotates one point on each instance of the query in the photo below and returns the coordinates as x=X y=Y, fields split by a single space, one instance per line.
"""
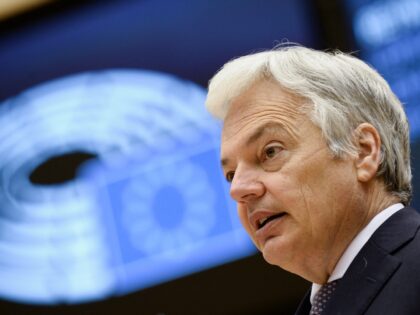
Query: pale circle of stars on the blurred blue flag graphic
x=183 y=202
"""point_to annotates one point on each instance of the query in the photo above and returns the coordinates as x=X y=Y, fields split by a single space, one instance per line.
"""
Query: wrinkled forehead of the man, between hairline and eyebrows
x=264 y=103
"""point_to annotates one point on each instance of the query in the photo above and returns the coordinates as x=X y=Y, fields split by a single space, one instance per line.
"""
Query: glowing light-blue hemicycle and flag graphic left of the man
x=143 y=200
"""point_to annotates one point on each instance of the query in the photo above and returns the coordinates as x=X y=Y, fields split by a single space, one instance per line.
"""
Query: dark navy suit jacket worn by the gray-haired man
x=384 y=278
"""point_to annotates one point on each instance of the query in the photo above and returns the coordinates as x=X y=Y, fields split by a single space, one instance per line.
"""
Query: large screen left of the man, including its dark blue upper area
x=122 y=84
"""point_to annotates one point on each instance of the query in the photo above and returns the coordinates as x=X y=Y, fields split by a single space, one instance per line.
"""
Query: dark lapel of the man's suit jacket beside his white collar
x=374 y=265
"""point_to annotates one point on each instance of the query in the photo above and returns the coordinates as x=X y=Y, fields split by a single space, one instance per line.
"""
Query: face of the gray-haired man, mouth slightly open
x=298 y=203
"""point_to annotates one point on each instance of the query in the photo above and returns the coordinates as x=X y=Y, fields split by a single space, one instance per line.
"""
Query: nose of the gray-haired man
x=246 y=186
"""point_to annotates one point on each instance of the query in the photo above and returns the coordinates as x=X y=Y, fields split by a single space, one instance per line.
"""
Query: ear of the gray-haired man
x=368 y=142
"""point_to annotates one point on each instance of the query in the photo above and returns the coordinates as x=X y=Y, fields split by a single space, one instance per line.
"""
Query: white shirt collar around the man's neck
x=356 y=245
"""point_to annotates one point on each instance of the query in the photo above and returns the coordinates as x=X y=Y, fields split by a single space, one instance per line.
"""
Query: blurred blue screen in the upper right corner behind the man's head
x=388 y=33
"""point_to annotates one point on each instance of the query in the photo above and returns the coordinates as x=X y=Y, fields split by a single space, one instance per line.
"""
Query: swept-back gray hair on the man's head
x=343 y=91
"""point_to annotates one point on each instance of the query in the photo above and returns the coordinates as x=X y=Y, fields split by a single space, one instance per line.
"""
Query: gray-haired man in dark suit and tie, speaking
x=316 y=148
